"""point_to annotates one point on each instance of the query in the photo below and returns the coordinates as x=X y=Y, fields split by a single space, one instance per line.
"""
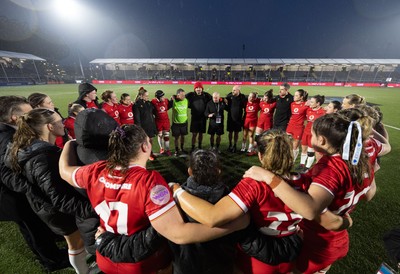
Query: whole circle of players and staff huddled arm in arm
x=85 y=178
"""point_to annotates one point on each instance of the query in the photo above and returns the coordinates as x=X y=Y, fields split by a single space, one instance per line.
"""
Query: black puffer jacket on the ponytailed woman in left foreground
x=46 y=191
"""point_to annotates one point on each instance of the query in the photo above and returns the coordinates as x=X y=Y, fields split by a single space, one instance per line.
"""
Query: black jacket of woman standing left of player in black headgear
x=143 y=112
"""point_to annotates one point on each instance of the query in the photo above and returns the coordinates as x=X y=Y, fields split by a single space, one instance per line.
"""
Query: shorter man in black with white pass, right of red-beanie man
x=215 y=112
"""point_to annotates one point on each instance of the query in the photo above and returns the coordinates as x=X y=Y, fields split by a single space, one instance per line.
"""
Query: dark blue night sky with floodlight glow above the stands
x=215 y=29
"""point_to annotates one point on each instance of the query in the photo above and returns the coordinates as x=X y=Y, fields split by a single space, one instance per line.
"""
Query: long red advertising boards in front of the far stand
x=322 y=84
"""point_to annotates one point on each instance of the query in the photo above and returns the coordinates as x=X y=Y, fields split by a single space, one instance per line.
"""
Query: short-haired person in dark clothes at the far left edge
x=14 y=205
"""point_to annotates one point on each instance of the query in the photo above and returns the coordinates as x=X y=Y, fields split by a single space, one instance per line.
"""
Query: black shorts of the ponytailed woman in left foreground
x=60 y=223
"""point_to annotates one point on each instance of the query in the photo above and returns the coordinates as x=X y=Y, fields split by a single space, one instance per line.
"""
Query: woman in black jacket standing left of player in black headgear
x=143 y=113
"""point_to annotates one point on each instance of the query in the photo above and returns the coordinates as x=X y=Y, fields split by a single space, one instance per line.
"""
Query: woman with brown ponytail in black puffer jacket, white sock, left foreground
x=34 y=157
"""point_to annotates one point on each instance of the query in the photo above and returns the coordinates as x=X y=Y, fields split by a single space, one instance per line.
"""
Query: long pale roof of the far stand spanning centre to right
x=247 y=61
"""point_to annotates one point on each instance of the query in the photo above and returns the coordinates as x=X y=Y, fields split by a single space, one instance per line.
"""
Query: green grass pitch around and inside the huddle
x=371 y=220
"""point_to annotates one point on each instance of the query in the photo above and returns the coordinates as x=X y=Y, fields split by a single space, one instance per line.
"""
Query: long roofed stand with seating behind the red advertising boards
x=269 y=70
